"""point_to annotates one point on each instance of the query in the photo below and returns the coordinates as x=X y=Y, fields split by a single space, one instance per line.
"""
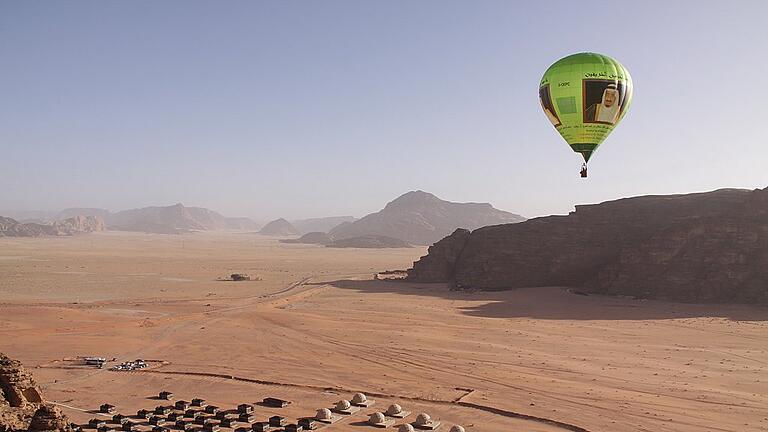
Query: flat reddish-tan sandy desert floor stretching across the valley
x=316 y=328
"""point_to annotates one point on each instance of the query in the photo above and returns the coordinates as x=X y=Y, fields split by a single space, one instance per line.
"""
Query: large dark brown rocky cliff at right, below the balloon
x=707 y=247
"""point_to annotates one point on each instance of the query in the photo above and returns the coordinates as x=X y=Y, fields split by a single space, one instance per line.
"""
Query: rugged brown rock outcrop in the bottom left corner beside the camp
x=21 y=403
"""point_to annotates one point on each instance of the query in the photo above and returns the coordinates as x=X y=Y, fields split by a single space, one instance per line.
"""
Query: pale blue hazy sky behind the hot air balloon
x=317 y=108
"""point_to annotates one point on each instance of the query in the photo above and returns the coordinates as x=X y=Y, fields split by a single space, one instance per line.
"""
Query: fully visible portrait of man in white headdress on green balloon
x=603 y=101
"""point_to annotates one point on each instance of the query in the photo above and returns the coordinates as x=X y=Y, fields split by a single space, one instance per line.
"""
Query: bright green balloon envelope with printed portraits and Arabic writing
x=585 y=96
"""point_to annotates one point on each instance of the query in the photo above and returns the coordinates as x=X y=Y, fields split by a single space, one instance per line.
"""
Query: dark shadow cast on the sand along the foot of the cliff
x=557 y=303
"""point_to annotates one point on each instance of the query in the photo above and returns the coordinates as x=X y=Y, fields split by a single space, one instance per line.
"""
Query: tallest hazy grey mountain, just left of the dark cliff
x=421 y=218
